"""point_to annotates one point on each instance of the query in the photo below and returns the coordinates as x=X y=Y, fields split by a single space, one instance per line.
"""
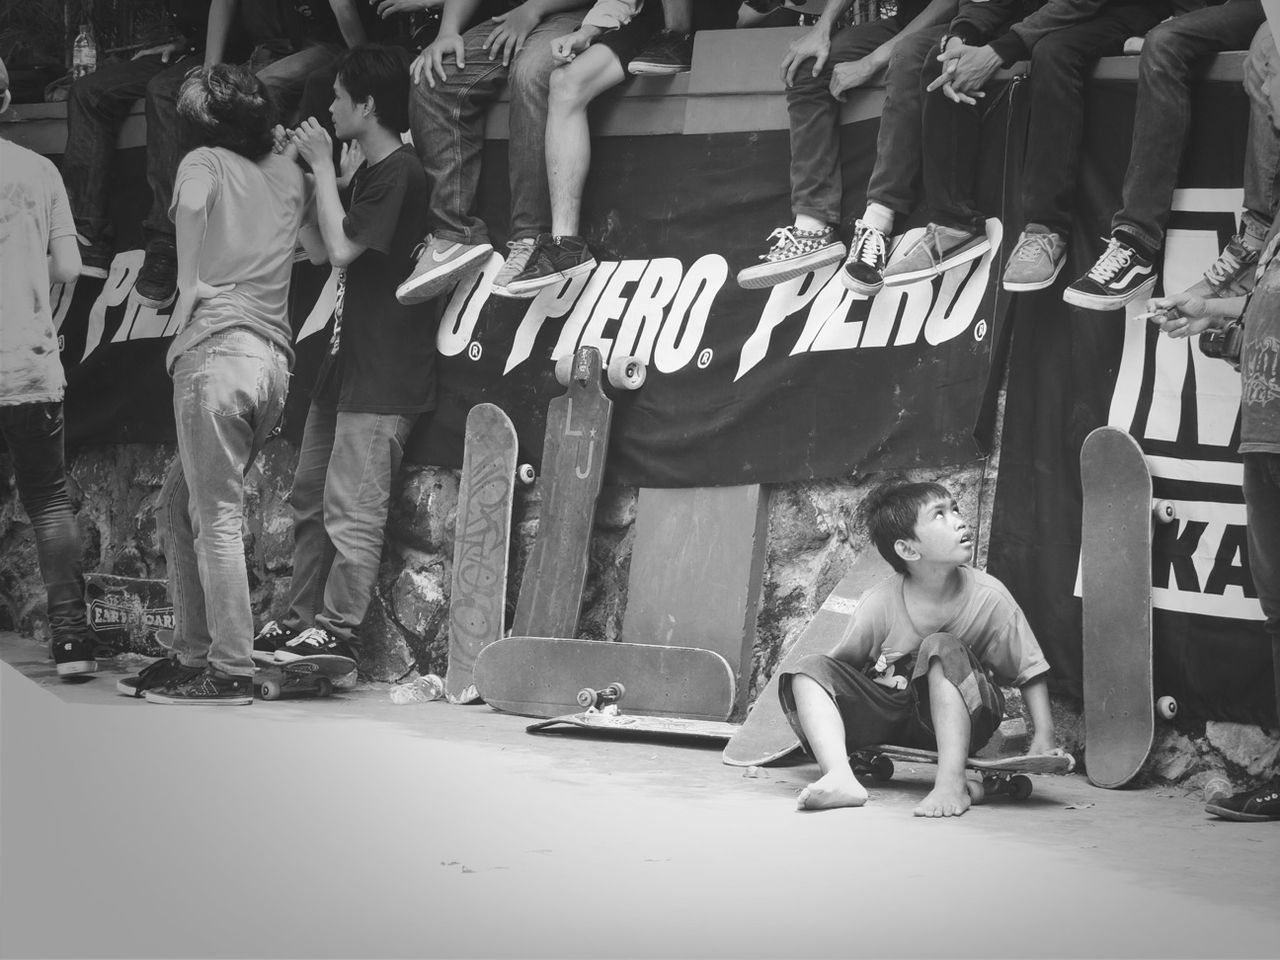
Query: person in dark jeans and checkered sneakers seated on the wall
x=820 y=70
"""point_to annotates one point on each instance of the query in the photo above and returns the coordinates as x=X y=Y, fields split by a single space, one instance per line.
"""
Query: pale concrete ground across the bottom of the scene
x=355 y=828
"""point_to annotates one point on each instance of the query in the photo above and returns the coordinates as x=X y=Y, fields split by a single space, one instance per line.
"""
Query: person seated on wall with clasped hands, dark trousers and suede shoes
x=1064 y=40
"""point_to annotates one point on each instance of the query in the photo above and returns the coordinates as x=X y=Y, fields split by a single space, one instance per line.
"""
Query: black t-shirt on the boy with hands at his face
x=386 y=360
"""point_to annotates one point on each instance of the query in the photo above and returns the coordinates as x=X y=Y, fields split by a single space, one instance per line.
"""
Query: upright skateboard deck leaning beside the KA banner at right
x=1116 y=591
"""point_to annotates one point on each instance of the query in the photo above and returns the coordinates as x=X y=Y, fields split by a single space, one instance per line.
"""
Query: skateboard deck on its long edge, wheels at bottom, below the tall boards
x=543 y=678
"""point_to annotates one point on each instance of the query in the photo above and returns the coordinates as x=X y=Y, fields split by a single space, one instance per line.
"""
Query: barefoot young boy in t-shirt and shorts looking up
x=921 y=661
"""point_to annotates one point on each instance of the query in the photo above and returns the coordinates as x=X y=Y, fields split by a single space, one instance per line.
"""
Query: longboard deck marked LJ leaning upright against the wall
x=573 y=473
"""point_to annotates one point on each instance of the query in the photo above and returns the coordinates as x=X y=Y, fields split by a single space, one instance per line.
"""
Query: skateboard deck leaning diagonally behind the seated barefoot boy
x=766 y=735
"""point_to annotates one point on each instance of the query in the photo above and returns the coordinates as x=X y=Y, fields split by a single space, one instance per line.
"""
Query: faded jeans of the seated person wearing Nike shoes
x=449 y=132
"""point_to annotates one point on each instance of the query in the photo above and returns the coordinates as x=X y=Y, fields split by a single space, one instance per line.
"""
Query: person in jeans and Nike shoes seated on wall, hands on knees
x=455 y=80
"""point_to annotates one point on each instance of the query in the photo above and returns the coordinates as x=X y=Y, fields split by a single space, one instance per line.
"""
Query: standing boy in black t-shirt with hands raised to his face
x=380 y=373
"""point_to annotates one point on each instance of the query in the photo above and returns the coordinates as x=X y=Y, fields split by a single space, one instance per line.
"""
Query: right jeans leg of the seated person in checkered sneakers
x=895 y=179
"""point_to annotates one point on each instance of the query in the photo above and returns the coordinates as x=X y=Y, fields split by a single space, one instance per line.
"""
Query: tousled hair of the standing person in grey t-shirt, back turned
x=226 y=107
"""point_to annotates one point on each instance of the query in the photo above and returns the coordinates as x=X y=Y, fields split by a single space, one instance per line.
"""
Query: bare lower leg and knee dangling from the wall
x=569 y=136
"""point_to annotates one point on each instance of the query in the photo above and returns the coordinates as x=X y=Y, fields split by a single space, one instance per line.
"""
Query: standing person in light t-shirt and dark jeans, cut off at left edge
x=38 y=239
